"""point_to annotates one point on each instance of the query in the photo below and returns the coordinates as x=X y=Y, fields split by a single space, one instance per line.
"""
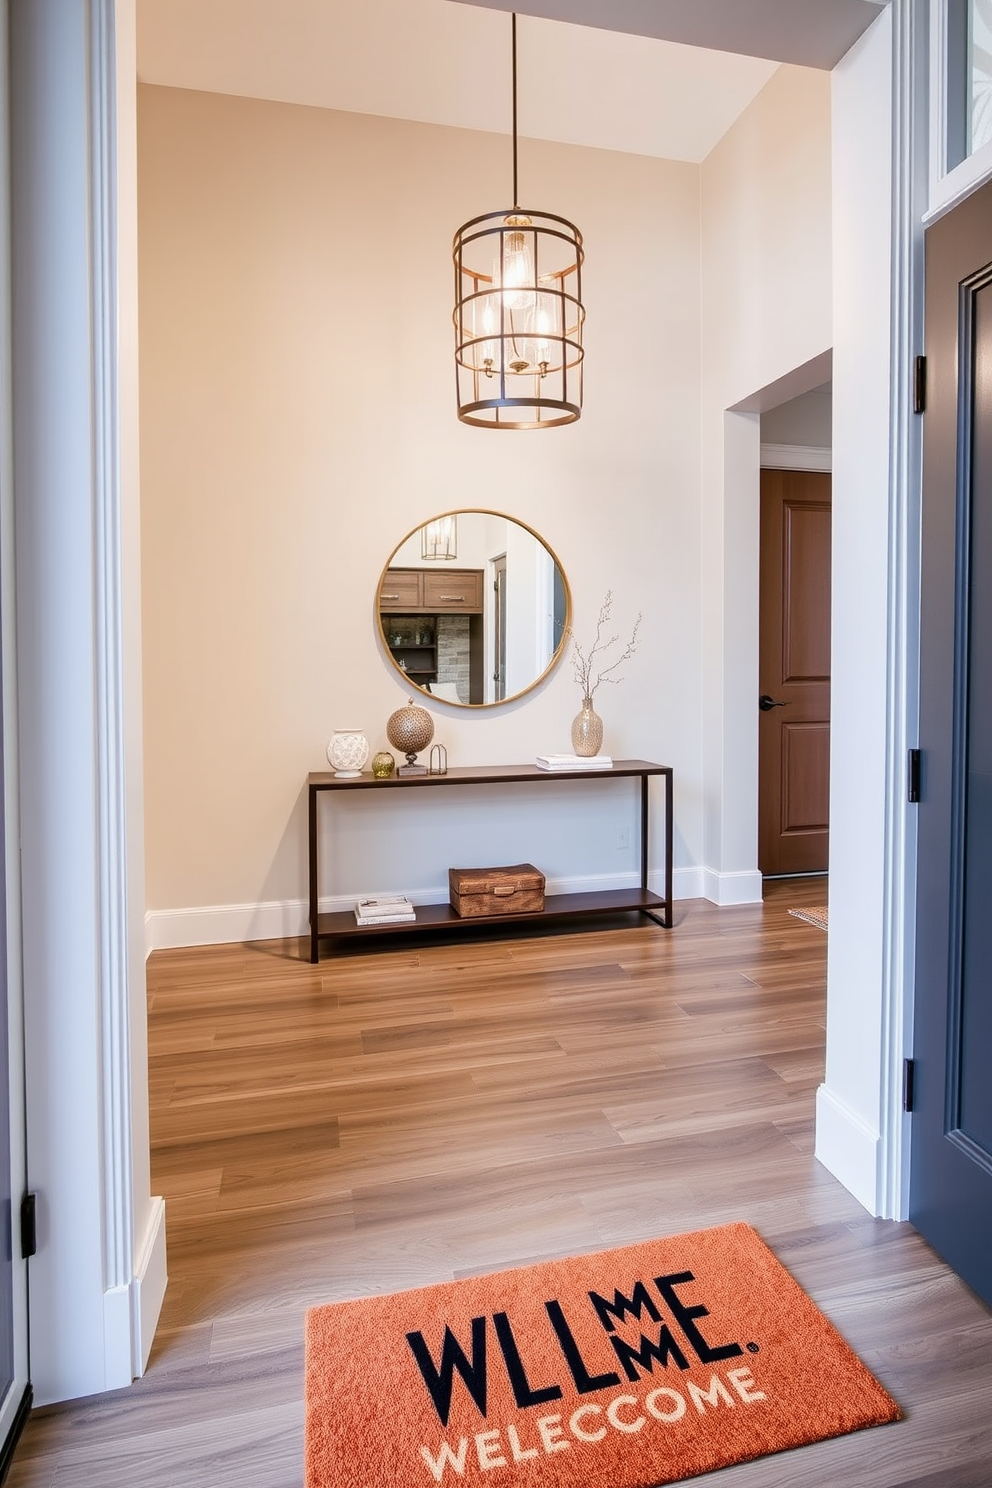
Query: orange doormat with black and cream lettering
x=622 y=1370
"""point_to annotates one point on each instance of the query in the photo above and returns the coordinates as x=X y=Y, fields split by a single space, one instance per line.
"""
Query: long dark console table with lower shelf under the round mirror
x=442 y=917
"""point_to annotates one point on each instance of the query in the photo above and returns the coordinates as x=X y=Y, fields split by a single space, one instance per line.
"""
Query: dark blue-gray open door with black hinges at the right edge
x=951 y=1191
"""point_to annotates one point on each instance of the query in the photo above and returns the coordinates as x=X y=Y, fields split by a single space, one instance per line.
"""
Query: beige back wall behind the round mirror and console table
x=298 y=420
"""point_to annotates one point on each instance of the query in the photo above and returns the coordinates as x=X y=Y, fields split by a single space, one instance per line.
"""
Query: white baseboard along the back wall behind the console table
x=277 y=920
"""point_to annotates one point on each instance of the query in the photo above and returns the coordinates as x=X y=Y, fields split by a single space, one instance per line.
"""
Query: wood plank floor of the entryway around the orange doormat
x=389 y=1120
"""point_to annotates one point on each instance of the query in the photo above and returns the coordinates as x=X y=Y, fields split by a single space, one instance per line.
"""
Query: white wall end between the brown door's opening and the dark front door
x=848 y=1109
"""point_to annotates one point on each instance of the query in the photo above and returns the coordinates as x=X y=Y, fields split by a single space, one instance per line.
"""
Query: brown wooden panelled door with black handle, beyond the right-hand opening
x=795 y=673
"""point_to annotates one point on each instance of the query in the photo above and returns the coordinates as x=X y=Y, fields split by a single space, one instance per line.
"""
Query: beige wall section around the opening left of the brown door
x=767 y=312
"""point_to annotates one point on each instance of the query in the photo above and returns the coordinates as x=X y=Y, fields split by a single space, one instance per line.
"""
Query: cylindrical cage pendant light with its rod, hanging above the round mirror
x=518 y=315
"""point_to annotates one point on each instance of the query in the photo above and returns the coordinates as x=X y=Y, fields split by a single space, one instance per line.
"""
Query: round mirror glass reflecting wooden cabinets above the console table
x=474 y=608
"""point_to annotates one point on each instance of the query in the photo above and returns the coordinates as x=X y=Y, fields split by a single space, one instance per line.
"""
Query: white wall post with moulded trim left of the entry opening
x=99 y=1274
